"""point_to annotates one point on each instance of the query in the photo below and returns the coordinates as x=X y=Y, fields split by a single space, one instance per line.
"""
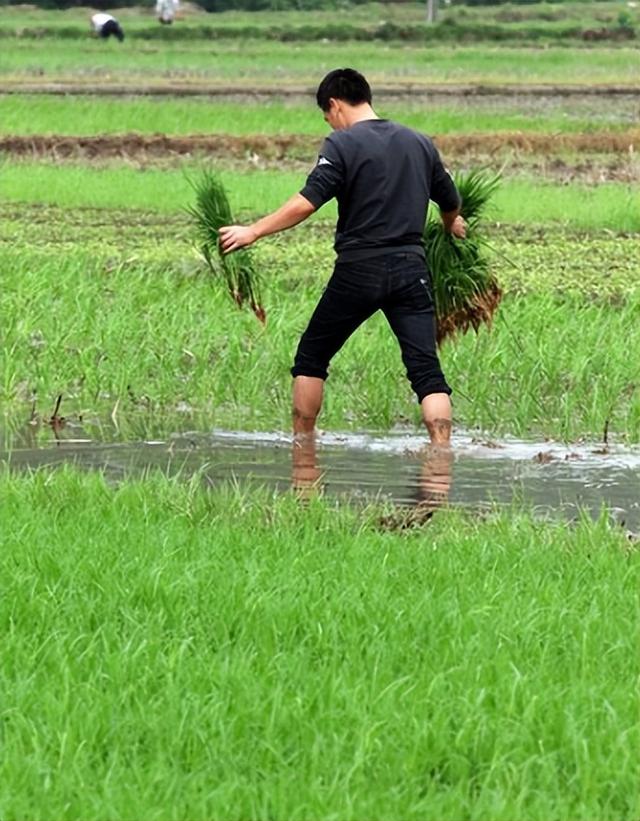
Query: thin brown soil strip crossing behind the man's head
x=253 y=91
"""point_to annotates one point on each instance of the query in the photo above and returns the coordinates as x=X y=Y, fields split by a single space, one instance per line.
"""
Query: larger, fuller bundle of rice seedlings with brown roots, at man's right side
x=466 y=291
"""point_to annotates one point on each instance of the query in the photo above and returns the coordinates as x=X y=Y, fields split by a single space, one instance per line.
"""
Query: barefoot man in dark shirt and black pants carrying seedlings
x=383 y=176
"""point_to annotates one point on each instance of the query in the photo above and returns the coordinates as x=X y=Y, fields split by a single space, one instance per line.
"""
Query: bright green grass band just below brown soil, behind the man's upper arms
x=521 y=201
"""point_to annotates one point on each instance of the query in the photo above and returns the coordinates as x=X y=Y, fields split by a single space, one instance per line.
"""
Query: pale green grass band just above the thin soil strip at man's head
x=256 y=63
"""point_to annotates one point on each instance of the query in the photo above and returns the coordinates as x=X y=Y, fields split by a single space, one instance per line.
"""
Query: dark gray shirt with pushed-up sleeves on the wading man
x=383 y=176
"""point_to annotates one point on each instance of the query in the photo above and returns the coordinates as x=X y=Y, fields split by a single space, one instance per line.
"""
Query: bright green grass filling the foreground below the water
x=173 y=653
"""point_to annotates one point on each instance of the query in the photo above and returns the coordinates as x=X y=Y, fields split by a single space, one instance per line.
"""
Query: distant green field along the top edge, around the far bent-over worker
x=536 y=23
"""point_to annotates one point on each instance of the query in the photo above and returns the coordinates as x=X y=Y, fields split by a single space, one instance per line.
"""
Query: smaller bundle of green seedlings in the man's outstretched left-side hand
x=211 y=212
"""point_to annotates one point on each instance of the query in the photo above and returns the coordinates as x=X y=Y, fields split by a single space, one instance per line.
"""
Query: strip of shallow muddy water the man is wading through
x=549 y=477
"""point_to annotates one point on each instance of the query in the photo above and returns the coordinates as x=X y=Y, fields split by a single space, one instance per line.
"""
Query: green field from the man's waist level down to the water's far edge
x=105 y=311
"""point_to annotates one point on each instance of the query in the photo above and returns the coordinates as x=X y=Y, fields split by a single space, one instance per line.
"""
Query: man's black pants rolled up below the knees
x=397 y=284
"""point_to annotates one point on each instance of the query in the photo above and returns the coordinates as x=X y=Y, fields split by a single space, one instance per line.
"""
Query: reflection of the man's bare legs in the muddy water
x=433 y=485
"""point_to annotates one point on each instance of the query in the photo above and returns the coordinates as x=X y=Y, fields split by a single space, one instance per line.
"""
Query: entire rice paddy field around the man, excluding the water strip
x=177 y=651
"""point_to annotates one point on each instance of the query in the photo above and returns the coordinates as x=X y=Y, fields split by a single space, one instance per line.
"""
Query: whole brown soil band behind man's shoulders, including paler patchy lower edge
x=590 y=158
